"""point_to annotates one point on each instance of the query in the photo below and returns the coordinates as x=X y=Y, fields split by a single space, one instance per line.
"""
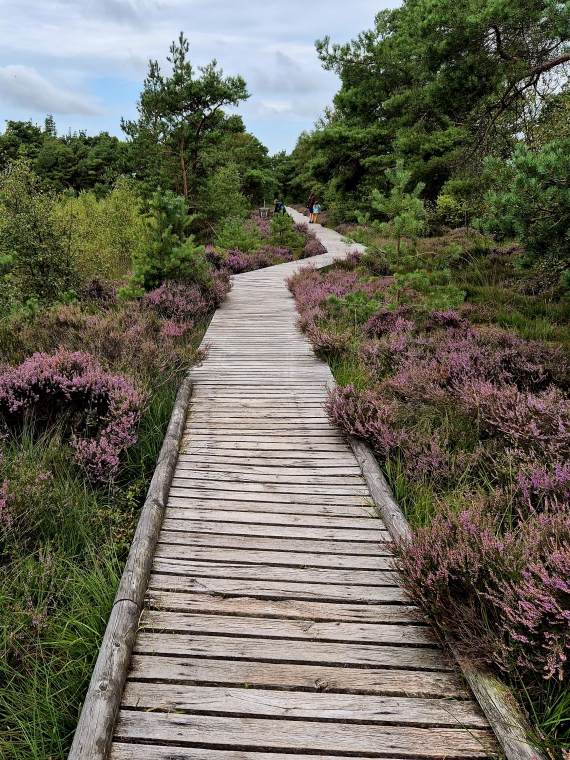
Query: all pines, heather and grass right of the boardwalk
x=446 y=154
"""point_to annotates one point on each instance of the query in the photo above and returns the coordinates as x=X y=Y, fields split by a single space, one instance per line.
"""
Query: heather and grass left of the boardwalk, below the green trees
x=73 y=479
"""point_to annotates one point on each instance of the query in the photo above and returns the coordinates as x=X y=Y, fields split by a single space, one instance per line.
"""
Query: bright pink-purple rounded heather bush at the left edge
x=100 y=410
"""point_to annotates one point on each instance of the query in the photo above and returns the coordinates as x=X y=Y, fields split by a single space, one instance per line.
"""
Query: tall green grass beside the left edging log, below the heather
x=59 y=573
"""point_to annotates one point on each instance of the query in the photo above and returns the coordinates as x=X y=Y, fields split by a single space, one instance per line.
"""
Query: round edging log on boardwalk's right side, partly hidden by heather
x=494 y=698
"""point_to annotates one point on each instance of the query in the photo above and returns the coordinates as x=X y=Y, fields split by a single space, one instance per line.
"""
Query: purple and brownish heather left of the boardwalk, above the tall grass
x=116 y=354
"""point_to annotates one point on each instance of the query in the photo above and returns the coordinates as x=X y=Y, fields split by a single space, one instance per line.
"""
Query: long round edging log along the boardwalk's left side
x=94 y=731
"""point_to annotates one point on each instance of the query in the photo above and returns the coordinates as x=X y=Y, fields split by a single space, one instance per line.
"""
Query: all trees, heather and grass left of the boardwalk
x=106 y=290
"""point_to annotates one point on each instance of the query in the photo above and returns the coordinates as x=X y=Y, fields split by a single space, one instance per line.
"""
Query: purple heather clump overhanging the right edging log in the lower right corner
x=464 y=569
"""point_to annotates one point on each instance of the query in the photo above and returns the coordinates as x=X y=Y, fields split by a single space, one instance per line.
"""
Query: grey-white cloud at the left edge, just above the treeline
x=22 y=86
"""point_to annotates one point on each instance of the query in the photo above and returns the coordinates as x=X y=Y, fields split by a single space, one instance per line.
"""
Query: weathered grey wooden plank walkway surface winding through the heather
x=275 y=628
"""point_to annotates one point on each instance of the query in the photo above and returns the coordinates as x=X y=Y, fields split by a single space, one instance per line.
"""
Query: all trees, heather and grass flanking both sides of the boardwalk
x=446 y=154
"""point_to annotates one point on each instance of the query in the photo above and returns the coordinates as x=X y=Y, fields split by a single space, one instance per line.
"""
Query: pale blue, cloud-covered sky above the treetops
x=84 y=60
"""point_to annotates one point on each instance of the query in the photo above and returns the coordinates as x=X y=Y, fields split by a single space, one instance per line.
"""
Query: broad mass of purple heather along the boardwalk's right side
x=473 y=425
